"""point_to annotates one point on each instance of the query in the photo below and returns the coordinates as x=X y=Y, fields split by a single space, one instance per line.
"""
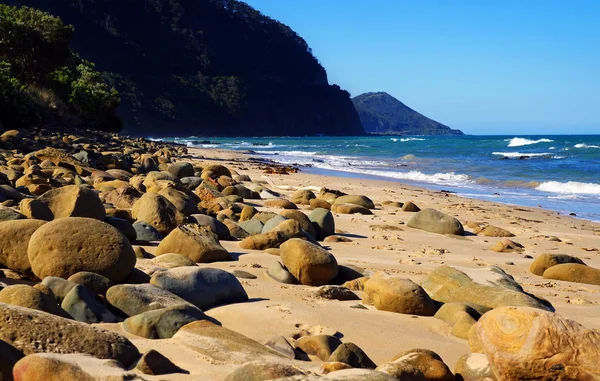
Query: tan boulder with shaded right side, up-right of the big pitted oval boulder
x=157 y=211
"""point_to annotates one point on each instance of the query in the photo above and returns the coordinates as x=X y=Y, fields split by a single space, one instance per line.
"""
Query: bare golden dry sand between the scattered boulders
x=293 y=311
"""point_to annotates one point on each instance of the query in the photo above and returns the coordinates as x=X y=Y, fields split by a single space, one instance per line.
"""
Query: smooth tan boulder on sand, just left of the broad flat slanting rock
x=389 y=293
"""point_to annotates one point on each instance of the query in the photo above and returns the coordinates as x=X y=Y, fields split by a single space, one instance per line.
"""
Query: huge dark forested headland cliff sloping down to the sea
x=205 y=67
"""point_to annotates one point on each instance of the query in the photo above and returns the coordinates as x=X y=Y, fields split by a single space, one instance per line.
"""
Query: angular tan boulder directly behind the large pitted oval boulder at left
x=73 y=201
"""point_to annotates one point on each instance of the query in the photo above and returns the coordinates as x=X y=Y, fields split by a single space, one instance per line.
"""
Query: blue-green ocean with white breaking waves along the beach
x=560 y=173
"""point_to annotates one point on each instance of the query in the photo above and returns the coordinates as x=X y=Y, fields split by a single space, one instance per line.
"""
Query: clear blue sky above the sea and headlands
x=486 y=67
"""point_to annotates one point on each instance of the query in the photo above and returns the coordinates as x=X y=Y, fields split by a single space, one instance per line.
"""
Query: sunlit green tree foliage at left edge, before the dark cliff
x=43 y=81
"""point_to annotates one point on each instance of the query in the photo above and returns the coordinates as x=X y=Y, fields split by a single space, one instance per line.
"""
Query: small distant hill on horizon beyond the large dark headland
x=380 y=113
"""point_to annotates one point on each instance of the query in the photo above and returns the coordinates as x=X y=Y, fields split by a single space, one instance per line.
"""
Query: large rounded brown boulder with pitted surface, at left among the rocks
x=69 y=245
